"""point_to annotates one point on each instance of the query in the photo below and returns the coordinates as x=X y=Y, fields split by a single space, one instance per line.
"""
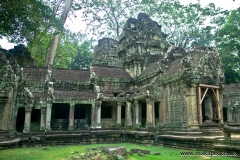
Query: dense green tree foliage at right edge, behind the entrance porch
x=228 y=43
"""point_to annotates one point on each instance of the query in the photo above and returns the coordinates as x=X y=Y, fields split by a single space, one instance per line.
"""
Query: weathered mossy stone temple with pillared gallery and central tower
x=137 y=83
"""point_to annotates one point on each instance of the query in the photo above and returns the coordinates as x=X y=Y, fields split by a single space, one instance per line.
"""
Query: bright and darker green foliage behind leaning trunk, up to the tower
x=69 y=54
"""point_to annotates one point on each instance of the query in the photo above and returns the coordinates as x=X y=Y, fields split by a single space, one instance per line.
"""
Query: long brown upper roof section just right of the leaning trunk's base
x=70 y=75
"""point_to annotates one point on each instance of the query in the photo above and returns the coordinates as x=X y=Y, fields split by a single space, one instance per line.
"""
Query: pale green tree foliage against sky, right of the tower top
x=185 y=24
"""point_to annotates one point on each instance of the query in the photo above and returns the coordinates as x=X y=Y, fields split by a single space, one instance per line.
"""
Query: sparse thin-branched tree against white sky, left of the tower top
x=107 y=17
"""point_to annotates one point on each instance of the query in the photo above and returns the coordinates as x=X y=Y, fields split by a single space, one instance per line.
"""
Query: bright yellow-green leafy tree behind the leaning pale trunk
x=66 y=53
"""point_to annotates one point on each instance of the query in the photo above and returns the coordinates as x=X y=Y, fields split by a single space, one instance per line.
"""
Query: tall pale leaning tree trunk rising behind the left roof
x=54 y=42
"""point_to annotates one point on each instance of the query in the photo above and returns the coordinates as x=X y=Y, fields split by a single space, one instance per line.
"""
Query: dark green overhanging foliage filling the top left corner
x=23 y=20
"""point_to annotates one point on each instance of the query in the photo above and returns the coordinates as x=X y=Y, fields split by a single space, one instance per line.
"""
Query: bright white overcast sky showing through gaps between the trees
x=77 y=25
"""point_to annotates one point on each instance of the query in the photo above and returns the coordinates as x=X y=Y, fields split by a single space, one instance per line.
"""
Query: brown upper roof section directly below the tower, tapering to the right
x=111 y=72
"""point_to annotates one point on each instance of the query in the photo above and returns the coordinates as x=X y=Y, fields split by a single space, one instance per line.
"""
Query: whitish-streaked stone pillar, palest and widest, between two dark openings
x=96 y=123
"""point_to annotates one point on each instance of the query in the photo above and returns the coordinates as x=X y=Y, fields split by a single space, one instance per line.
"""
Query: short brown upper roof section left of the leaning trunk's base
x=34 y=74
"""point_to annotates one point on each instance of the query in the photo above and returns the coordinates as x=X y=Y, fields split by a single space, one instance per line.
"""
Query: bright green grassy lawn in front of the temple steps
x=64 y=153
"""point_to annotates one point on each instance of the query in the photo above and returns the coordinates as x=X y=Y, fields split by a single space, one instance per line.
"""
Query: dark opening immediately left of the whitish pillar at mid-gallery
x=82 y=116
